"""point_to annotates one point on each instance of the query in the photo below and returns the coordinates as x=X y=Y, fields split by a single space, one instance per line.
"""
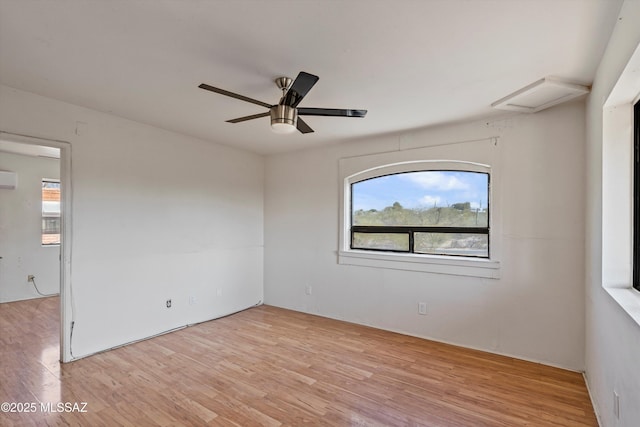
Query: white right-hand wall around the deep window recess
x=612 y=336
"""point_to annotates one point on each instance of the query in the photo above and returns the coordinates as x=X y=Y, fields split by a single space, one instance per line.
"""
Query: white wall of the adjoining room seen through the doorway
x=21 y=230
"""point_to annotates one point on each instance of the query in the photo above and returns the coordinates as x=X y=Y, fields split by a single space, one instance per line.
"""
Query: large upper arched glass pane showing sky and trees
x=425 y=198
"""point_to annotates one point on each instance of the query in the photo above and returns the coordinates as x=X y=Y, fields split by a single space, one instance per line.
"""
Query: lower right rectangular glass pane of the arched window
x=464 y=244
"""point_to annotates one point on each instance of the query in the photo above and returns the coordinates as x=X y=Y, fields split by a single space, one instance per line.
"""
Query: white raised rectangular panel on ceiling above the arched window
x=539 y=95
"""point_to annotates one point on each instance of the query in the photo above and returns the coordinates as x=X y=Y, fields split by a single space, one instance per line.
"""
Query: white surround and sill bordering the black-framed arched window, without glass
x=474 y=155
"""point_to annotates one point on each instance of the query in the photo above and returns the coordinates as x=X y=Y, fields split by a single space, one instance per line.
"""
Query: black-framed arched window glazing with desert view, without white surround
x=436 y=212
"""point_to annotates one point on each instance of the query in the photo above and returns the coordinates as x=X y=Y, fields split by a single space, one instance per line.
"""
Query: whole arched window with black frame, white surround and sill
x=429 y=209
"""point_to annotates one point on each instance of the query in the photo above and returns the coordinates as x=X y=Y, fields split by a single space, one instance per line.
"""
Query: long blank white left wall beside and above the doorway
x=155 y=216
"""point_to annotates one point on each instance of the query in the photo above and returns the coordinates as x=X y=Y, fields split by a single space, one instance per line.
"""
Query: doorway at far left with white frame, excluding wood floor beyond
x=33 y=219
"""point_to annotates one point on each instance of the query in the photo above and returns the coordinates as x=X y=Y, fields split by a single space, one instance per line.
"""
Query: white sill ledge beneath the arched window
x=456 y=266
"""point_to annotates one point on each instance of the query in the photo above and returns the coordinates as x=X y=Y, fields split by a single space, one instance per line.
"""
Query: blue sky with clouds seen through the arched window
x=422 y=190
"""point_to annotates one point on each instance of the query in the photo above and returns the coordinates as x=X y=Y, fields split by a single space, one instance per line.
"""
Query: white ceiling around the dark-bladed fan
x=410 y=63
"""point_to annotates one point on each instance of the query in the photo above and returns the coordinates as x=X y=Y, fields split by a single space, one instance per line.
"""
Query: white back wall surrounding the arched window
x=534 y=311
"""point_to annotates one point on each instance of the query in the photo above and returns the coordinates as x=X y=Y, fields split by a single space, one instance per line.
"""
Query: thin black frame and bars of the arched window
x=410 y=230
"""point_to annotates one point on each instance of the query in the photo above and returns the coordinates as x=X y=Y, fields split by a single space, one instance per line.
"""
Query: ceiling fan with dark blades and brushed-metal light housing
x=285 y=114
